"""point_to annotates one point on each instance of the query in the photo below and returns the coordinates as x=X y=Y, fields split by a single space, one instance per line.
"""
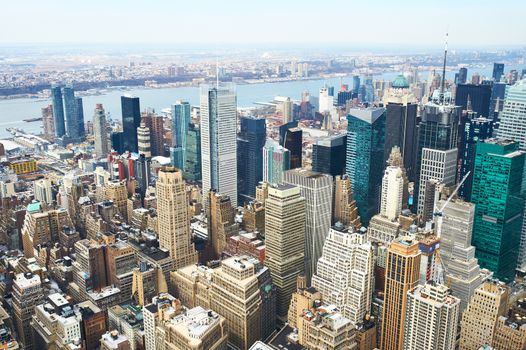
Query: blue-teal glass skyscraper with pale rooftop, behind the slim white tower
x=365 y=157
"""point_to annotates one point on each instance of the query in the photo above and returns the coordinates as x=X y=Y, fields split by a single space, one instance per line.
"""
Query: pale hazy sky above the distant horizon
x=473 y=23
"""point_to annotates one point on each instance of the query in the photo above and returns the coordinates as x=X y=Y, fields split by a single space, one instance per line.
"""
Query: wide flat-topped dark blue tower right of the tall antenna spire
x=478 y=96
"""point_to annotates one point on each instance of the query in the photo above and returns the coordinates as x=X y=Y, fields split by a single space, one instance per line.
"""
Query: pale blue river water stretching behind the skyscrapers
x=12 y=112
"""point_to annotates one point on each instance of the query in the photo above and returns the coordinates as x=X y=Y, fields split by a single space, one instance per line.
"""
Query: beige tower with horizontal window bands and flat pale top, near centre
x=284 y=241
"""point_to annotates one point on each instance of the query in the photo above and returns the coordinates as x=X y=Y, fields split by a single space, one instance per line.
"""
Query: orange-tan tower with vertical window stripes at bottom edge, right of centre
x=402 y=275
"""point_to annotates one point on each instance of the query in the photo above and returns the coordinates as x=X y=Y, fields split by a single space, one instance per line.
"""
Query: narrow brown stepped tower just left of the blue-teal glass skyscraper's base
x=344 y=206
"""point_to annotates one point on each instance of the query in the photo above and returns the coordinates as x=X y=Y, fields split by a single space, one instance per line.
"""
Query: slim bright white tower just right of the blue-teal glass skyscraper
x=392 y=193
